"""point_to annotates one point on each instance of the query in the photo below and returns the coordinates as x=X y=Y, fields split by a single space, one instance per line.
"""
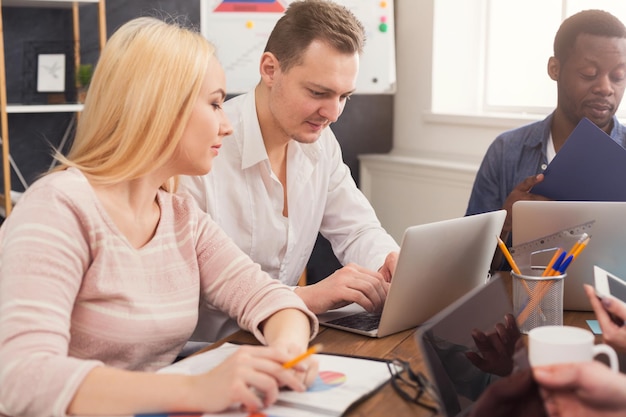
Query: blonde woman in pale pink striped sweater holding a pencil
x=102 y=267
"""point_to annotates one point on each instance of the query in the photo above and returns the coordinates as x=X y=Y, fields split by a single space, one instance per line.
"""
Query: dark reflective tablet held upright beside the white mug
x=459 y=370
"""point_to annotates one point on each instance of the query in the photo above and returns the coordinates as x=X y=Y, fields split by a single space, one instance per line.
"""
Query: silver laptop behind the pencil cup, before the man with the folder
x=606 y=248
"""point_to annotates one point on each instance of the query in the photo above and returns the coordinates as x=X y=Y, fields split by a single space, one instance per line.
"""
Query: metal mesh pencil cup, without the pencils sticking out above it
x=537 y=299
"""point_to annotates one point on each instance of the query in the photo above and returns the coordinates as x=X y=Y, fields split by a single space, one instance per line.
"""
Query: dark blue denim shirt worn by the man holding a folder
x=511 y=158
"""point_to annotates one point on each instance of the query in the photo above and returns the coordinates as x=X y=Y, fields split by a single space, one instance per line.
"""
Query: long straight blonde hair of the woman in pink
x=139 y=101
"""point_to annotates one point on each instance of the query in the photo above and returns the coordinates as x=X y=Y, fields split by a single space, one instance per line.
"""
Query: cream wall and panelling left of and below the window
x=429 y=173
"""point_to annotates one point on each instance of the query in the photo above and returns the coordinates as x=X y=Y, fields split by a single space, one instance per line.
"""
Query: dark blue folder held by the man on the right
x=589 y=167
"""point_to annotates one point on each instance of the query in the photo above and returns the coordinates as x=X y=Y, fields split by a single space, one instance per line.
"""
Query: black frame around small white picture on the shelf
x=48 y=72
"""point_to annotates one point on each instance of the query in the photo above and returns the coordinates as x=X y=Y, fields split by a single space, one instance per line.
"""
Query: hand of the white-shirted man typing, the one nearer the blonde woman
x=350 y=284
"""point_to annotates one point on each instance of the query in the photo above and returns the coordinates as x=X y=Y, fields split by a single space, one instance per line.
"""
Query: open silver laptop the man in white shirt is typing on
x=438 y=263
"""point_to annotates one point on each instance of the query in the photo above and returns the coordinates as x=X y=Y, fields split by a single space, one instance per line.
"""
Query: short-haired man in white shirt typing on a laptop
x=280 y=178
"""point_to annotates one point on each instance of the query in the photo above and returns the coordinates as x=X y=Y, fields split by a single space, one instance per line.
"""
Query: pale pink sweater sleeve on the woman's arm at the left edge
x=37 y=293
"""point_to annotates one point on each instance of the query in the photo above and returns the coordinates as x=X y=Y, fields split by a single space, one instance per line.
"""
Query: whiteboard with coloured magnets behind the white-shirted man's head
x=239 y=30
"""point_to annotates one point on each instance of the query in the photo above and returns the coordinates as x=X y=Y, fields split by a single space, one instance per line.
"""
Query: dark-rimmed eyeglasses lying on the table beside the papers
x=411 y=386
